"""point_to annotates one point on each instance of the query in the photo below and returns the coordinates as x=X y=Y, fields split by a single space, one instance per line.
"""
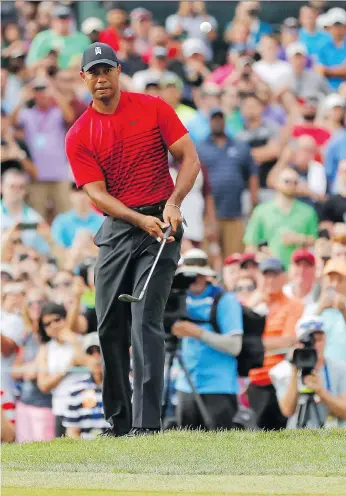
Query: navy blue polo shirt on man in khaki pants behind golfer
x=229 y=169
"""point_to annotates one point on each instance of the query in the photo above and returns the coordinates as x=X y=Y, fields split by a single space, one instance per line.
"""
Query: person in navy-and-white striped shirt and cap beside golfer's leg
x=84 y=417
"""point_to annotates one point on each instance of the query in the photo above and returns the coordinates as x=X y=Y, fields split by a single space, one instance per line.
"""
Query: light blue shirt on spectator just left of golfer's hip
x=66 y=225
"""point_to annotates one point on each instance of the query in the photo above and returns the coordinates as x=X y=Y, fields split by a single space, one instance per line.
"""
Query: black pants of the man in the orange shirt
x=264 y=402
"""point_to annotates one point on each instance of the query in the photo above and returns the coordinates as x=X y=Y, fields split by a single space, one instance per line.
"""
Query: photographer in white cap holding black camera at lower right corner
x=327 y=380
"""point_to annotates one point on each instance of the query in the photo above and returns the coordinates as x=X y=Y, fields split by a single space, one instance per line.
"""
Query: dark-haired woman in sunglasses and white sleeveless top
x=60 y=351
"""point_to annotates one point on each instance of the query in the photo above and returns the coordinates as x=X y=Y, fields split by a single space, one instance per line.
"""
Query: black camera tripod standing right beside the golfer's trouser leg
x=172 y=346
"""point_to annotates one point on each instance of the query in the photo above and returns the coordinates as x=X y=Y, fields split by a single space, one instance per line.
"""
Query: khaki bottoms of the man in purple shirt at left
x=48 y=196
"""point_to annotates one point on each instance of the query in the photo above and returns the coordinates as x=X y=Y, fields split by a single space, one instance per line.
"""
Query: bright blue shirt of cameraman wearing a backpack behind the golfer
x=212 y=371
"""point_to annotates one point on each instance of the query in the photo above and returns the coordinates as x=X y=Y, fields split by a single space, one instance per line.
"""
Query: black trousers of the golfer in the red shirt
x=125 y=257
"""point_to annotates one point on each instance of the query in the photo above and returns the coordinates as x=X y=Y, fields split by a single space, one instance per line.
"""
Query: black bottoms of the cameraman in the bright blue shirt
x=221 y=408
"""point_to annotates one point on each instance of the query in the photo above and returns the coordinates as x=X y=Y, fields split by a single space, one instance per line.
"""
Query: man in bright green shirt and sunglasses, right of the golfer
x=285 y=223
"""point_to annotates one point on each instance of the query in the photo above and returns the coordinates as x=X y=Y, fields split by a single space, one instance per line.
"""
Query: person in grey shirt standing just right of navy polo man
x=262 y=137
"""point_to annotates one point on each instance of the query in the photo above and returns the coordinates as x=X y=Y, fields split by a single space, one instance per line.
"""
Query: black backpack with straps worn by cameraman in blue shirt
x=252 y=352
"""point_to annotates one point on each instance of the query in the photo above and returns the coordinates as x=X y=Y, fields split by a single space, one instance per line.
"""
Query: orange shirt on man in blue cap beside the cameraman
x=283 y=316
